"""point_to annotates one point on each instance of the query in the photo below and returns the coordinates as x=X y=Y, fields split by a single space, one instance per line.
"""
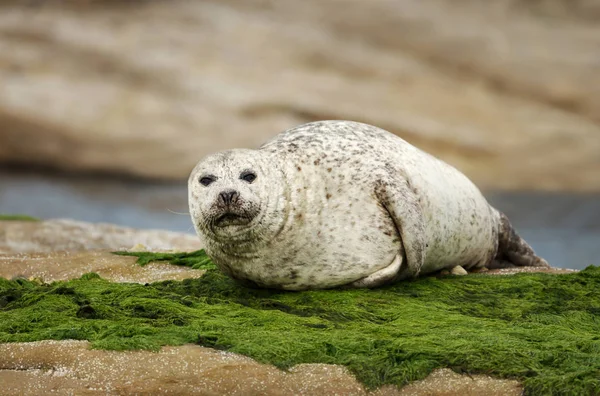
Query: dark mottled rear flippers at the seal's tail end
x=512 y=249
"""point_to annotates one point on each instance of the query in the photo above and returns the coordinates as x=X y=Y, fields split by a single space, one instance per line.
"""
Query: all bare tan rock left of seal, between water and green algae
x=56 y=250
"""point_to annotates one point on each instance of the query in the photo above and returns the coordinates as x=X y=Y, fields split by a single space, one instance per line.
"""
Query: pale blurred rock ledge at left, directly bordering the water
x=70 y=235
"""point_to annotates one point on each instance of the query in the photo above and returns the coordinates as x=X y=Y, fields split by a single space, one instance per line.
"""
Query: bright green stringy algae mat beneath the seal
x=541 y=329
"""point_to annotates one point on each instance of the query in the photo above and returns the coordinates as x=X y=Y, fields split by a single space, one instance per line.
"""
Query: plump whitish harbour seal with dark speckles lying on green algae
x=341 y=203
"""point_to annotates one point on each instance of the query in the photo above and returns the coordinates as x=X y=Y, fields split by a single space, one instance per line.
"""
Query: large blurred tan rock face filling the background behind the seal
x=495 y=89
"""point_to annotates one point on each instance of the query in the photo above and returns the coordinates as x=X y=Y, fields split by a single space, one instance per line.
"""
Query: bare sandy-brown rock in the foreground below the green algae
x=70 y=367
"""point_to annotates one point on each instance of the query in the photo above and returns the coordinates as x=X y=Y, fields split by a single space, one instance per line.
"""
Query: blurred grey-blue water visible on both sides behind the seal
x=563 y=228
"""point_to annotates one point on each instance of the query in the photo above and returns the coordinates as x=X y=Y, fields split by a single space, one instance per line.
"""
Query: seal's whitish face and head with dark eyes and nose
x=230 y=193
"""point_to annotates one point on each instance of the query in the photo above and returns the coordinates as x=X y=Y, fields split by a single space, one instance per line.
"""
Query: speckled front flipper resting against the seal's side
x=402 y=204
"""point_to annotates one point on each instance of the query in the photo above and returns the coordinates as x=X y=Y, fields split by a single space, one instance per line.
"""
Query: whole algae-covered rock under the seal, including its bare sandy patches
x=535 y=329
